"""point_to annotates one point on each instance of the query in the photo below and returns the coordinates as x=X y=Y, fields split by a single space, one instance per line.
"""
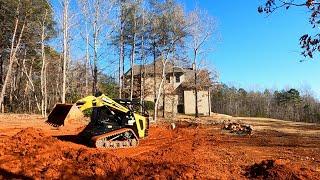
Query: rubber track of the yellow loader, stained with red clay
x=94 y=139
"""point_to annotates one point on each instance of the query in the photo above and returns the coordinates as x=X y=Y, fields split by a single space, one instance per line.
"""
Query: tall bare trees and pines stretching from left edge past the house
x=58 y=51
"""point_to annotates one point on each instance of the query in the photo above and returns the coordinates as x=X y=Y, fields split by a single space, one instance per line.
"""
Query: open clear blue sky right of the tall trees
x=256 y=51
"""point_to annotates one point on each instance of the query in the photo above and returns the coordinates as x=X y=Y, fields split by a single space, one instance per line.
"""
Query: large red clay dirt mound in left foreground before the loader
x=32 y=154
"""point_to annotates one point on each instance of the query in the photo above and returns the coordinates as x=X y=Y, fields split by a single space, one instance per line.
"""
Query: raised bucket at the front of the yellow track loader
x=64 y=114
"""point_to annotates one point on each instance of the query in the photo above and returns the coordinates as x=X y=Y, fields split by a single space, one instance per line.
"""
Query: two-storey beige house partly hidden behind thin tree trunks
x=178 y=95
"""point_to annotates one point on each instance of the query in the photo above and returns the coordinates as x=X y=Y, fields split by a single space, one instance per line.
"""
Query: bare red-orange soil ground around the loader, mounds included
x=31 y=149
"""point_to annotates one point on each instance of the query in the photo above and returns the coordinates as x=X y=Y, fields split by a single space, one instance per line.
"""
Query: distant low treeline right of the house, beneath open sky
x=285 y=104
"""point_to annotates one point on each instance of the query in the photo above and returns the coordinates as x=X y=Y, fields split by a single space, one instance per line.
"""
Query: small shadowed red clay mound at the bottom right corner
x=271 y=169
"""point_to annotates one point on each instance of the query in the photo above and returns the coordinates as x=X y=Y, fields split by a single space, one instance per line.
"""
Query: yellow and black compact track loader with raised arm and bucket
x=115 y=123
